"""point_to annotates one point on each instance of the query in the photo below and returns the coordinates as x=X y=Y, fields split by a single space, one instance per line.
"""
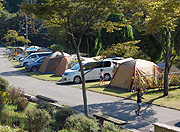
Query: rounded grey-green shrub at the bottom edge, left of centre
x=37 y=119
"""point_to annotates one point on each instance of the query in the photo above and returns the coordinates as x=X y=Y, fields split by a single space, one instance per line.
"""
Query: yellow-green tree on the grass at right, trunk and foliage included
x=153 y=17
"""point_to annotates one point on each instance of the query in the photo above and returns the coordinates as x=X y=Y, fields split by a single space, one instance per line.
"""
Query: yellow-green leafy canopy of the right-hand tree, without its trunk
x=152 y=15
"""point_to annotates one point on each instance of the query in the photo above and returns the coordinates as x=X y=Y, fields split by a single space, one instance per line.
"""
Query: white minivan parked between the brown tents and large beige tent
x=91 y=70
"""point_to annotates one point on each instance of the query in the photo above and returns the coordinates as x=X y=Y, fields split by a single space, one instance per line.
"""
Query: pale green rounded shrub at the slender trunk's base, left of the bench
x=80 y=123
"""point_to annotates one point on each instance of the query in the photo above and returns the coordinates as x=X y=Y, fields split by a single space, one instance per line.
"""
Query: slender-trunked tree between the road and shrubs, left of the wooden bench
x=75 y=17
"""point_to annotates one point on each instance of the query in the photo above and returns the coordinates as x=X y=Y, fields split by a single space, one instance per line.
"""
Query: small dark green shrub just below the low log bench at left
x=46 y=106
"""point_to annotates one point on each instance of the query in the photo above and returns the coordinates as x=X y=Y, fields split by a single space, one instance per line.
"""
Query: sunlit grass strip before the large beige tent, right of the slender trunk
x=154 y=96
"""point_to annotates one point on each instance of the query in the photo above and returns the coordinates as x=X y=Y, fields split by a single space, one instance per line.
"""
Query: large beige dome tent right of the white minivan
x=126 y=71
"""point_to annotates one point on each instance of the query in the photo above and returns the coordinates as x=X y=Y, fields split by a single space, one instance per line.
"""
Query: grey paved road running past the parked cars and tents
x=65 y=94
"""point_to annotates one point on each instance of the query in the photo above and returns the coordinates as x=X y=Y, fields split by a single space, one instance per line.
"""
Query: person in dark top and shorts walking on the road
x=139 y=97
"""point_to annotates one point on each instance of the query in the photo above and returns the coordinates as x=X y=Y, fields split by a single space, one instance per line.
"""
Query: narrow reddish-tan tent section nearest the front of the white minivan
x=63 y=65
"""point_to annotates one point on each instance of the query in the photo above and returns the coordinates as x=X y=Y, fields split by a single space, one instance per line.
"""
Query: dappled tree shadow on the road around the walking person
x=124 y=111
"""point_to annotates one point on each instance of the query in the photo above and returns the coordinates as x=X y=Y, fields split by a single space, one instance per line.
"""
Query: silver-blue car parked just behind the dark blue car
x=32 y=57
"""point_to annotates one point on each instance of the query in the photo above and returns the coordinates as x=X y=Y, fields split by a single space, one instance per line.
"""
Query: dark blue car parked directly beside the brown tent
x=34 y=66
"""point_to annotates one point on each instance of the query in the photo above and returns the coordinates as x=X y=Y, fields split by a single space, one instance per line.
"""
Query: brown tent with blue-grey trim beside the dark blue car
x=51 y=62
